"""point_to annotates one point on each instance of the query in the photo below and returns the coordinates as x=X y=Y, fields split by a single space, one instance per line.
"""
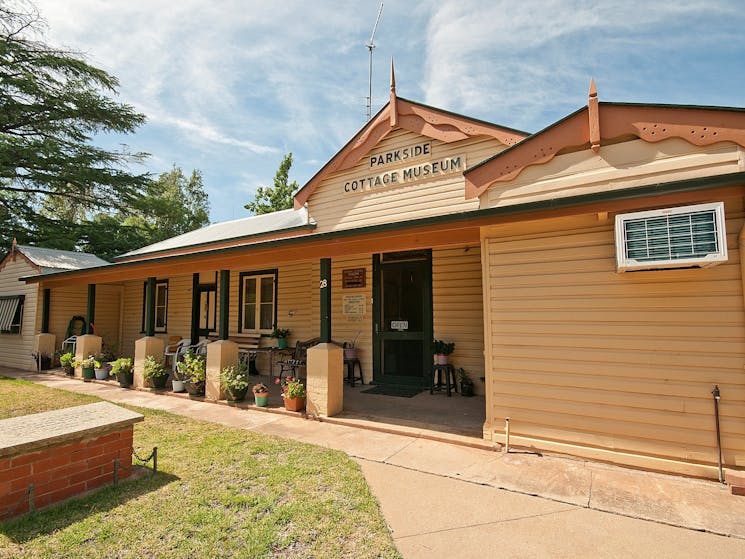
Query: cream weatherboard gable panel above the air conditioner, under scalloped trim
x=615 y=167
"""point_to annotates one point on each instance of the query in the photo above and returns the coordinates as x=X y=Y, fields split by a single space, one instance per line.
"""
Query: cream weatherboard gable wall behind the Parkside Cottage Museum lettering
x=333 y=209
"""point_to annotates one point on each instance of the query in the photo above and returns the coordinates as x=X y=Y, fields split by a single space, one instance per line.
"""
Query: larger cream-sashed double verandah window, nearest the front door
x=257 y=310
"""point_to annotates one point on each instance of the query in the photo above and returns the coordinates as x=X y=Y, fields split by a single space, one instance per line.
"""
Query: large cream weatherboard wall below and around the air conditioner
x=616 y=366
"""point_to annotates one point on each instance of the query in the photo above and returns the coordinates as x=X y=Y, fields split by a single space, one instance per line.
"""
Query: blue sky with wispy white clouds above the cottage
x=229 y=87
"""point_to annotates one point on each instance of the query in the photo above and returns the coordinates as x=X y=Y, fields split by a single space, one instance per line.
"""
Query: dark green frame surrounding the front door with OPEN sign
x=379 y=376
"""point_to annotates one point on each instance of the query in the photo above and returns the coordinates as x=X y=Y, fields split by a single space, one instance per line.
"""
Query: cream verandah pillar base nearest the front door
x=325 y=383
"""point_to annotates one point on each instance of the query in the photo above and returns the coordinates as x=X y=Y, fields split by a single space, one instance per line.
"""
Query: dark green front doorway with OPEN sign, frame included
x=402 y=326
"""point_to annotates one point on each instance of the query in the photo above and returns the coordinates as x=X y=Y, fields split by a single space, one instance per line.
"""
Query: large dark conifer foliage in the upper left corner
x=52 y=102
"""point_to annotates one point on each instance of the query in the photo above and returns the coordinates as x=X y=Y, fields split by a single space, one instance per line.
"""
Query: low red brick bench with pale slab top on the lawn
x=62 y=453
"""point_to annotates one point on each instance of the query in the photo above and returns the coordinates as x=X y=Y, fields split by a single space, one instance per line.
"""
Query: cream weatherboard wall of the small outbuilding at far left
x=17 y=348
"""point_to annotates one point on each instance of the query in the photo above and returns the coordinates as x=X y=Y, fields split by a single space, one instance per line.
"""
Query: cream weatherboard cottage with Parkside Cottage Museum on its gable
x=590 y=274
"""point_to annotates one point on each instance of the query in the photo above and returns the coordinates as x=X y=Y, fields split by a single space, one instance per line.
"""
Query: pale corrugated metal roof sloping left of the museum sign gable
x=228 y=230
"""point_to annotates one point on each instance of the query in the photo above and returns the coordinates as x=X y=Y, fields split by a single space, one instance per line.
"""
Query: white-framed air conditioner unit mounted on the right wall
x=682 y=237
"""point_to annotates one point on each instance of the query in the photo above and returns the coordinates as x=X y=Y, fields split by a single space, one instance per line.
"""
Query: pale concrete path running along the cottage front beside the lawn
x=443 y=500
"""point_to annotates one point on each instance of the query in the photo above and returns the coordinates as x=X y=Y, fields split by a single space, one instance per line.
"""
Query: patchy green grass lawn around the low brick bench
x=220 y=492
